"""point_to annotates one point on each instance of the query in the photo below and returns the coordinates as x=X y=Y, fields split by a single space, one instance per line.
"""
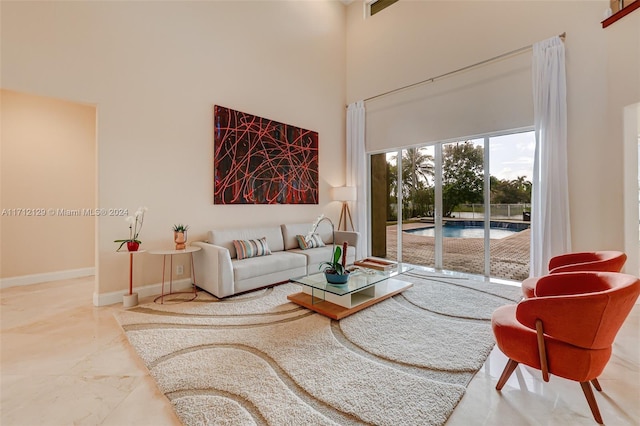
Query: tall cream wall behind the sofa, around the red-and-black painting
x=155 y=70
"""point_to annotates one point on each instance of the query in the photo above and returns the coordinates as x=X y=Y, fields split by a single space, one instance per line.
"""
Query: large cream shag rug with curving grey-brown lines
x=259 y=359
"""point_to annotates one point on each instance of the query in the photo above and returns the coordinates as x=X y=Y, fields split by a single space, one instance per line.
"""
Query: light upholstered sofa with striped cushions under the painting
x=219 y=272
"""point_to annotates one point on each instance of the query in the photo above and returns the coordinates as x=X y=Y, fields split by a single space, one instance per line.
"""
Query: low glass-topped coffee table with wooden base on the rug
x=365 y=288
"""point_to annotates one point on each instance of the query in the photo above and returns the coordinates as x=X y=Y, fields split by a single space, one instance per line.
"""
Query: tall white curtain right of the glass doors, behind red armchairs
x=550 y=229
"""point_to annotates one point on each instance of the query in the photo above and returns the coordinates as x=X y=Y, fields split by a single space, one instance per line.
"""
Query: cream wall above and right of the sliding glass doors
x=415 y=40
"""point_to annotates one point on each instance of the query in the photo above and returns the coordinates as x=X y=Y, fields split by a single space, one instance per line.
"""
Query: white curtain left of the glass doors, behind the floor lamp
x=357 y=173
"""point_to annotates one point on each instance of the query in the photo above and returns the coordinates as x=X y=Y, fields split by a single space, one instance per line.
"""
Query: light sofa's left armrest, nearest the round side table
x=213 y=269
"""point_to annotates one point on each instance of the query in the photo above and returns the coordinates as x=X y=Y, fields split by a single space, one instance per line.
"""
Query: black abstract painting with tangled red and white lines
x=261 y=161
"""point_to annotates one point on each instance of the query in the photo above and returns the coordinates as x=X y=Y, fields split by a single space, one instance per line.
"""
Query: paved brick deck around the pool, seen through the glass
x=509 y=255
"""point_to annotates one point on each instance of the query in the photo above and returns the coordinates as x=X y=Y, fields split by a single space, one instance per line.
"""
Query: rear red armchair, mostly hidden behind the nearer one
x=604 y=261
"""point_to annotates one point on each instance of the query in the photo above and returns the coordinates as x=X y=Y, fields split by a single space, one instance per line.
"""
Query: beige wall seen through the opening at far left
x=48 y=163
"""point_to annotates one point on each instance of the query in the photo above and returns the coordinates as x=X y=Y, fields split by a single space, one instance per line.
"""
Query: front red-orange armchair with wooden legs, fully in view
x=569 y=327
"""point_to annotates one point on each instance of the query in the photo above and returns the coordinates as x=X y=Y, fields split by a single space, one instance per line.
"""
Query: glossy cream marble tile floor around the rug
x=64 y=361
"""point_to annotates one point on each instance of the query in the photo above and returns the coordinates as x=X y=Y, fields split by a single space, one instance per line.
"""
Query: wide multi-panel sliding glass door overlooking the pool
x=456 y=205
